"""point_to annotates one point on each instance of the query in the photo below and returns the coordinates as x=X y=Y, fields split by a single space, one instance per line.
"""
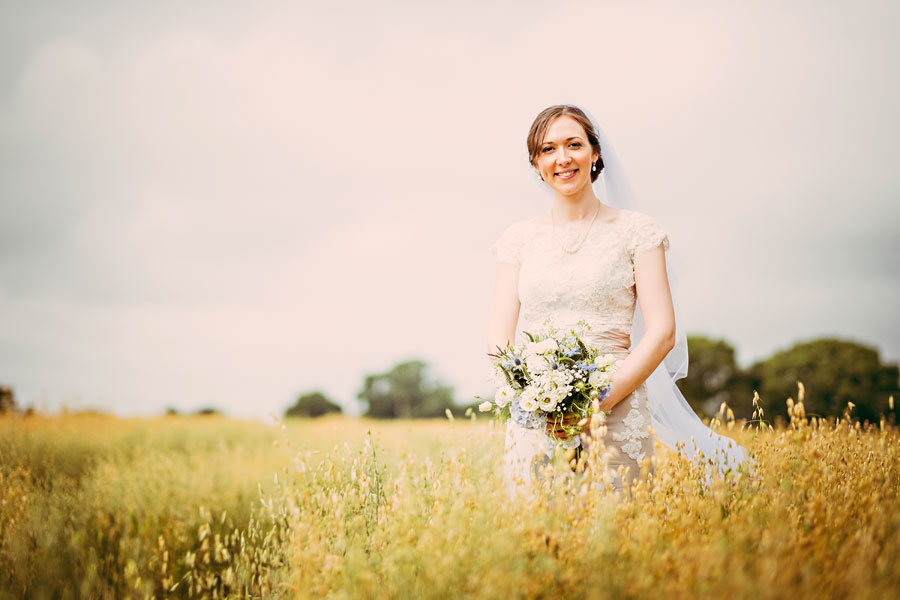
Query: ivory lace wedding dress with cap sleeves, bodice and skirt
x=595 y=285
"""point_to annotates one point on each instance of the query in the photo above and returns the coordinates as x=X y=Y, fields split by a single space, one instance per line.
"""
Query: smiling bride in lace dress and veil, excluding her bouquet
x=591 y=261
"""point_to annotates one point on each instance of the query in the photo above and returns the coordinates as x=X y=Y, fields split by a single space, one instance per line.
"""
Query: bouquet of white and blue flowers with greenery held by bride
x=552 y=379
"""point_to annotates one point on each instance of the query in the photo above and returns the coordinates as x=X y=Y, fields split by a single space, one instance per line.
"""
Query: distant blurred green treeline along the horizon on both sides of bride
x=834 y=373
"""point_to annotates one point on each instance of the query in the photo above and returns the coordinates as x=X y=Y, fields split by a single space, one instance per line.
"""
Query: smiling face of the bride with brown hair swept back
x=564 y=159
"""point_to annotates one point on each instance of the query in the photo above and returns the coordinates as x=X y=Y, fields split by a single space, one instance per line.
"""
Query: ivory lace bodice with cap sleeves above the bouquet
x=595 y=284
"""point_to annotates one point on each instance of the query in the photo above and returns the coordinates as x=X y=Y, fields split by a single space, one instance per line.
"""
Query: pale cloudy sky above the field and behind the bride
x=229 y=204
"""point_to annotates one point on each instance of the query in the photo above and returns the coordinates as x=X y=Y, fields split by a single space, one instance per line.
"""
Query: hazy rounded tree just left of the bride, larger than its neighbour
x=405 y=392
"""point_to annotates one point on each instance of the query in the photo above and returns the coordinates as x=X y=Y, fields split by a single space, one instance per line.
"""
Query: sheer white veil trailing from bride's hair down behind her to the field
x=672 y=419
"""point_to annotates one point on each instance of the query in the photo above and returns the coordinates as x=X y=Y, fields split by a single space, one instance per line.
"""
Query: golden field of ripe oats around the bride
x=94 y=506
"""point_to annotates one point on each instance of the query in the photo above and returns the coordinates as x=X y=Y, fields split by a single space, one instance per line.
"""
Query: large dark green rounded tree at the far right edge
x=834 y=372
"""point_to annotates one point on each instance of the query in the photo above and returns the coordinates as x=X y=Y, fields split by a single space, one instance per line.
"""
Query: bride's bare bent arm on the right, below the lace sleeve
x=653 y=294
